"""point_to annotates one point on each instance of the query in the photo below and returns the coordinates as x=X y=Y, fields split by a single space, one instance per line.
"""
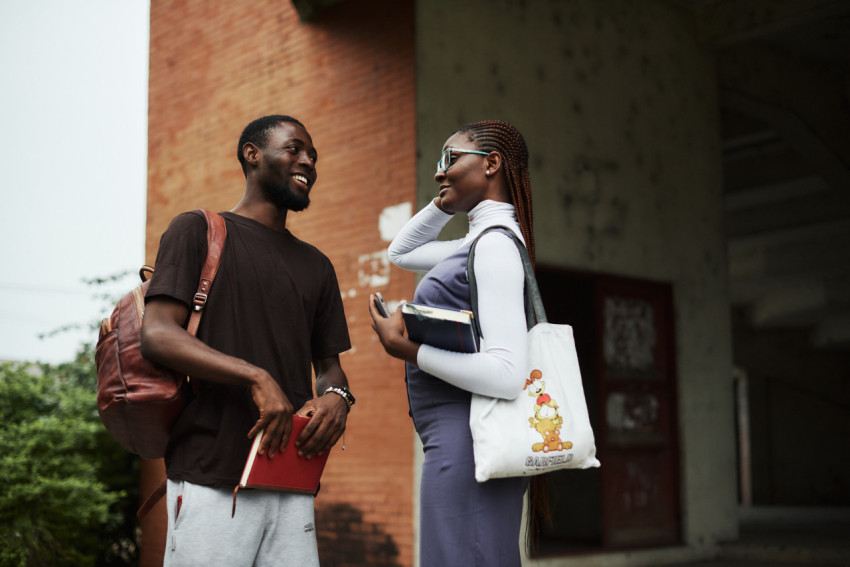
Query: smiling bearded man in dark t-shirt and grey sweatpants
x=273 y=311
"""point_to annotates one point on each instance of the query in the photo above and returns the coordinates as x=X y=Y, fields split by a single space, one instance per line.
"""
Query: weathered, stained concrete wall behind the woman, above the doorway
x=618 y=103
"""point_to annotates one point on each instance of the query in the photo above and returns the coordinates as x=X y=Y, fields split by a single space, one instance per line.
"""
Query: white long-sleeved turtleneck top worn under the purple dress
x=497 y=370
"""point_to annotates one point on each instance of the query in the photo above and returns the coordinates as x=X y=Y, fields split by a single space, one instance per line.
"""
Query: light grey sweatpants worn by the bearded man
x=269 y=528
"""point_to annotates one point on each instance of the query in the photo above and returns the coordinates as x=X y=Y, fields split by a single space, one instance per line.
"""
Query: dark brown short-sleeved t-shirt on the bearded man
x=275 y=303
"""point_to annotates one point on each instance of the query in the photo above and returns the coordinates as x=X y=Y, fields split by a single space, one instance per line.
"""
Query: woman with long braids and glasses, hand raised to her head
x=483 y=172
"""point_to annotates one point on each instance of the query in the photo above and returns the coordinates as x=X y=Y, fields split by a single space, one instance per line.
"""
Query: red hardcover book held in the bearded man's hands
x=286 y=470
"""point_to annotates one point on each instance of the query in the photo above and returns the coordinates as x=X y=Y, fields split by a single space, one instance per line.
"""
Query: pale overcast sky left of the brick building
x=73 y=167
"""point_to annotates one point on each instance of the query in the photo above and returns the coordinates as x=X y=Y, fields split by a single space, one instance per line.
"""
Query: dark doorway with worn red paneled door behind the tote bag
x=624 y=336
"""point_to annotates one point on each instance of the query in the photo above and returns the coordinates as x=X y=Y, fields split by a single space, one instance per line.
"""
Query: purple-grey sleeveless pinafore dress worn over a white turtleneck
x=462 y=522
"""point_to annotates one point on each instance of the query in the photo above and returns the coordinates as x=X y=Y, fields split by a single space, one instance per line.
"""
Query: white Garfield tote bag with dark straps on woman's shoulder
x=546 y=427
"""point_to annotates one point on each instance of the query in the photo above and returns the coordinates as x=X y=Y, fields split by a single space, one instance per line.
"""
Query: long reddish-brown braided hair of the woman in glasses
x=501 y=137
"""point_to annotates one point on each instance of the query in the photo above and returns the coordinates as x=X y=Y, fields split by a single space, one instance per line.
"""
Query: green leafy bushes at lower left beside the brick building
x=67 y=486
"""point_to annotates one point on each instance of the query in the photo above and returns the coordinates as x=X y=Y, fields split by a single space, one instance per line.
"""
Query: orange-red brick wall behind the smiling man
x=349 y=77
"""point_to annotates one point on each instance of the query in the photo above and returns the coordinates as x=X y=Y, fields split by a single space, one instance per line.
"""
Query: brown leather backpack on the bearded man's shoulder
x=139 y=400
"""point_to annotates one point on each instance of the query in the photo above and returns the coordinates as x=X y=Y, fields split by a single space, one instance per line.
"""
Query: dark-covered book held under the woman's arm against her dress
x=441 y=327
